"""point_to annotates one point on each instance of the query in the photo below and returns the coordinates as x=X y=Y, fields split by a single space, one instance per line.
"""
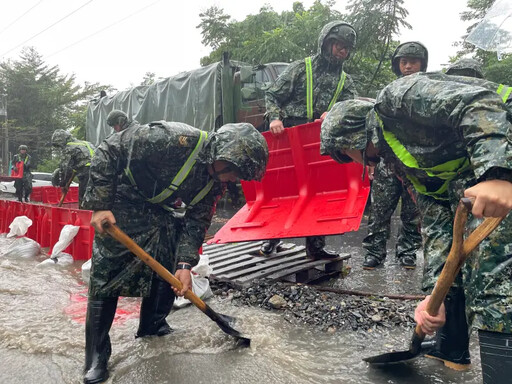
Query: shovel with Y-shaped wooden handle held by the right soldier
x=458 y=254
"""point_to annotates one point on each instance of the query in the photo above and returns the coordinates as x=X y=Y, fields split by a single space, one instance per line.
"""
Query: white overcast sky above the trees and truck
x=117 y=41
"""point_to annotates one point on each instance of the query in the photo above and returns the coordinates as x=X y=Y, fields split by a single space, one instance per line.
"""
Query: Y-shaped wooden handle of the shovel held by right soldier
x=459 y=252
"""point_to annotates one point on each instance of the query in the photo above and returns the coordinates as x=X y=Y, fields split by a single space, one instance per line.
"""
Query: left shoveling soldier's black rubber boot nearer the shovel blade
x=154 y=309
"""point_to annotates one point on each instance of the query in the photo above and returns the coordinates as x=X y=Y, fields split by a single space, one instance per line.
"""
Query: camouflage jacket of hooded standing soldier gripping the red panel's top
x=286 y=98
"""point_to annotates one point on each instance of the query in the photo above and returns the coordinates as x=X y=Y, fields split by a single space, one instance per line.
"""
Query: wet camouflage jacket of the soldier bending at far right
x=478 y=140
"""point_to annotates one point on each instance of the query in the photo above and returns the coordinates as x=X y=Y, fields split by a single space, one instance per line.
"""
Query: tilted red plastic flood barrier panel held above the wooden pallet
x=302 y=193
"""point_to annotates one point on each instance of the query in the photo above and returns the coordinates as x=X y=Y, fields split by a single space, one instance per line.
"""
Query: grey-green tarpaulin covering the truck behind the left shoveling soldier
x=191 y=97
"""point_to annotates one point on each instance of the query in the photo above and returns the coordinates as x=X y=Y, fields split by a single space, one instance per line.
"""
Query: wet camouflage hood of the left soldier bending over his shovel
x=240 y=144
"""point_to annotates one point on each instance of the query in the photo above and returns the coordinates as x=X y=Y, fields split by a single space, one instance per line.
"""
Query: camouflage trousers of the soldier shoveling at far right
x=487 y=275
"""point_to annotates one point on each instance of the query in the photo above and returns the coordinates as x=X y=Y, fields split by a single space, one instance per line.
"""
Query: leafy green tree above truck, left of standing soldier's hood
x=267 y=36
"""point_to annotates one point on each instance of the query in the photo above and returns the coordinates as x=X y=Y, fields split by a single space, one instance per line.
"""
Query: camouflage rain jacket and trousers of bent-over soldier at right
x=441 y=121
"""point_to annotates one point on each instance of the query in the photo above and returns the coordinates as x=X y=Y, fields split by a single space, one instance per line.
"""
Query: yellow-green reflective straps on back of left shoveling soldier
x=179 y=179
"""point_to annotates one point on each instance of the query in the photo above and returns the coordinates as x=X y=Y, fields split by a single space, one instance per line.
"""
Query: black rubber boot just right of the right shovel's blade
x=452 y=340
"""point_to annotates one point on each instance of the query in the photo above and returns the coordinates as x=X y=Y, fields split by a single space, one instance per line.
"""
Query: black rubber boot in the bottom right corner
x=496 y=357
